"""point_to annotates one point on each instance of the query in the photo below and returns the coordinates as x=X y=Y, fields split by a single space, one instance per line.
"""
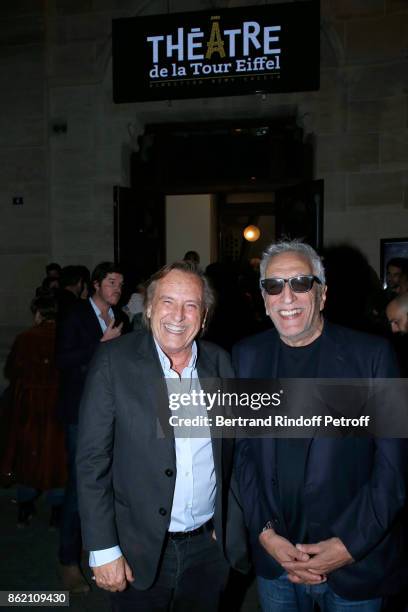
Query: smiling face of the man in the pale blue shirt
x=176 y=313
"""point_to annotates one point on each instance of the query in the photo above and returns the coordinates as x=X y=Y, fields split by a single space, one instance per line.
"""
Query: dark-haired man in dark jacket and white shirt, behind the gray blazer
x=90 y=322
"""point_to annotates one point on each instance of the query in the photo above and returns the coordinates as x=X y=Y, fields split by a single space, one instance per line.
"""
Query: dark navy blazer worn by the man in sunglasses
x=354 y=488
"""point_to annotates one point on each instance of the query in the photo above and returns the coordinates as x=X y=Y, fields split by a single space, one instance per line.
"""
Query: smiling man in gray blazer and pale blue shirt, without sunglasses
x=158 y=512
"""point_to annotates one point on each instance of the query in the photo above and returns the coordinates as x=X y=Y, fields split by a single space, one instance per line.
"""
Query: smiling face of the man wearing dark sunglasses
x=296 y=316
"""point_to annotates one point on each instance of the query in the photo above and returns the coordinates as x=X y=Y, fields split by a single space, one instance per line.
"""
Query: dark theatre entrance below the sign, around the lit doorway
x=240 y=157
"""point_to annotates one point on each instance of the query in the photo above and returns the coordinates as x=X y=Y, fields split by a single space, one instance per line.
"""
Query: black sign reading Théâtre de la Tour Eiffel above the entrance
x=270 y=48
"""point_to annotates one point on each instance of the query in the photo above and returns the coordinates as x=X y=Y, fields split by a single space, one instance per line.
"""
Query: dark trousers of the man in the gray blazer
x=191 y=578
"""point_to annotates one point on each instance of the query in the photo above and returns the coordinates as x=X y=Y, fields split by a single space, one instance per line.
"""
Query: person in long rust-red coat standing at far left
x=35 y=452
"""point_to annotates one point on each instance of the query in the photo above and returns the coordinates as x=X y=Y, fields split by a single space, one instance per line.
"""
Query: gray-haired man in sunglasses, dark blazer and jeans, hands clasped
x=323 y=513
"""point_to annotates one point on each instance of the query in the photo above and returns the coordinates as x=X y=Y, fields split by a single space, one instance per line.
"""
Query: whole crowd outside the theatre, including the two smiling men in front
x=145 y=505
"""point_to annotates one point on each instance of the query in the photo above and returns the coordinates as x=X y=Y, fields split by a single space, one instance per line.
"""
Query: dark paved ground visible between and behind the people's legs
x=28 y=560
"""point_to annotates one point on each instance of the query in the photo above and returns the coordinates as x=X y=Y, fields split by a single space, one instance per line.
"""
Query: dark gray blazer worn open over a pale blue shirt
x=127 y=472
